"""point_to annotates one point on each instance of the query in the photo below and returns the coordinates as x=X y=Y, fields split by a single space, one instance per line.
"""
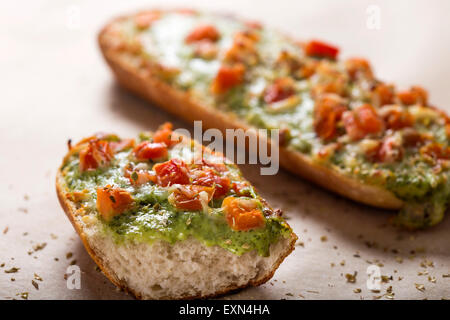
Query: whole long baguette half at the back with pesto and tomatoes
x=339 y=126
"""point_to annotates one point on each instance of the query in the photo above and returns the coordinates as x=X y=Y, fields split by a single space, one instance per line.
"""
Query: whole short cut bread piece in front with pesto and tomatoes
x=166 y=218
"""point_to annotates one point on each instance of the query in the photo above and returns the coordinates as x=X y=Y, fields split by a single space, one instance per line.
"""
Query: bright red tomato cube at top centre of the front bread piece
x=172 y=172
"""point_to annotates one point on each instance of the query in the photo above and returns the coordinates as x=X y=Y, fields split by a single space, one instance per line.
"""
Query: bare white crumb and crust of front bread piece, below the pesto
x=185 y=269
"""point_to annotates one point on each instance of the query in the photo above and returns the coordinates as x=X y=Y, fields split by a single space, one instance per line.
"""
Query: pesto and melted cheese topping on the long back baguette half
x=417 y=178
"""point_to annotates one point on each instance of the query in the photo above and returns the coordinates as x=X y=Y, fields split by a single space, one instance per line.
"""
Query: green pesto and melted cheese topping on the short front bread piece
x=153 y=217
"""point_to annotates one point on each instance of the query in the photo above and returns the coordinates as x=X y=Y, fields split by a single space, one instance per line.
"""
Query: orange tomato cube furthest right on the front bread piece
x=242 y=214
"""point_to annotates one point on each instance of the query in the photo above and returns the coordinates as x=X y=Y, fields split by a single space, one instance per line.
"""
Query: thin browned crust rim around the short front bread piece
x=70 y=210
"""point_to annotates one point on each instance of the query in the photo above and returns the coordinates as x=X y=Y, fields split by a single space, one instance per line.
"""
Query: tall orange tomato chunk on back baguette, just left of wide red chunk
x=328 y=111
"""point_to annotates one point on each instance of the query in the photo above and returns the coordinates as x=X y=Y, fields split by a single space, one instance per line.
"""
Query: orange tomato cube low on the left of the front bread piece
x=112 y=201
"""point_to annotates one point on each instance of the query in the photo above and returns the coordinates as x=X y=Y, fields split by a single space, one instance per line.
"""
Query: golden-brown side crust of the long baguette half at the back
x=144 y=83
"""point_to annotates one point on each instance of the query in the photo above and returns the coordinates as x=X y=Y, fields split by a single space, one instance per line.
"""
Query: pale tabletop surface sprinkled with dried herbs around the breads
x=55 y=86
